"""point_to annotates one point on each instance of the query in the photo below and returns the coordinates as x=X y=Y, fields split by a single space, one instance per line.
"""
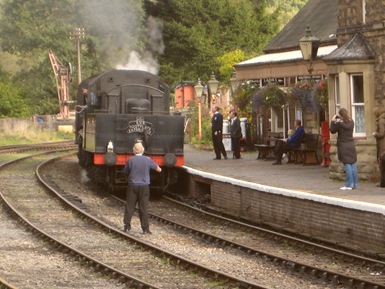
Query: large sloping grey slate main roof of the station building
x=322 y=18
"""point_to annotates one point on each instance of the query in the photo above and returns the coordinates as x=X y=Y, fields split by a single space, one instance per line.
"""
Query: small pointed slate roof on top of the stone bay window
x=357 y=48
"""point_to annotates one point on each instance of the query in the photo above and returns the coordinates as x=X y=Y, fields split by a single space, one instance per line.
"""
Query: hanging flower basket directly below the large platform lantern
x=310 y=95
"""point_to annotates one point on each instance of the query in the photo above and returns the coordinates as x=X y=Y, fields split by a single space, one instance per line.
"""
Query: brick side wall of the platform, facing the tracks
x=300 y=214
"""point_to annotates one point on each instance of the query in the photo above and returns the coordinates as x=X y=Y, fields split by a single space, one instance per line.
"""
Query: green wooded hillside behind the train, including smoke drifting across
x=198 y=38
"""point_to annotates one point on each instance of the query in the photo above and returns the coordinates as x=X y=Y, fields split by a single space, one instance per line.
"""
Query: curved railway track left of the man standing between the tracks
x=70 y=232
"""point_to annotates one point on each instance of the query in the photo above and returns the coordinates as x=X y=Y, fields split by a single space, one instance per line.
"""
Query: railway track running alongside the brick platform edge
x=367 y=274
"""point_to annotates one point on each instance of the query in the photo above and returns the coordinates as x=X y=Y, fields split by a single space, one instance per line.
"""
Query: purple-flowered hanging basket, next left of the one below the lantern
x=271 y=96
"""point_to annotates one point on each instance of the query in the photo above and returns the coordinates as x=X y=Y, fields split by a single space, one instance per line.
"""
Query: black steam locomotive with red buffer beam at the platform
x=115 y=110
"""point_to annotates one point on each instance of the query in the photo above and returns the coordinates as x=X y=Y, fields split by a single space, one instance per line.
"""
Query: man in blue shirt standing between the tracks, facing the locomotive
x=137 y=170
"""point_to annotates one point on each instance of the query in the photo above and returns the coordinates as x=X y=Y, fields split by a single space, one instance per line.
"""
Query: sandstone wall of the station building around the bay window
x=352 y=20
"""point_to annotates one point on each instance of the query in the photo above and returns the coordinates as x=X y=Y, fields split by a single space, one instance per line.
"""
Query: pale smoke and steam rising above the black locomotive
x=117 y=23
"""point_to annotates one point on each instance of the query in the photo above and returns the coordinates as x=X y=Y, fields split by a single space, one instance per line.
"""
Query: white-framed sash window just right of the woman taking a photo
x=357 y=100
